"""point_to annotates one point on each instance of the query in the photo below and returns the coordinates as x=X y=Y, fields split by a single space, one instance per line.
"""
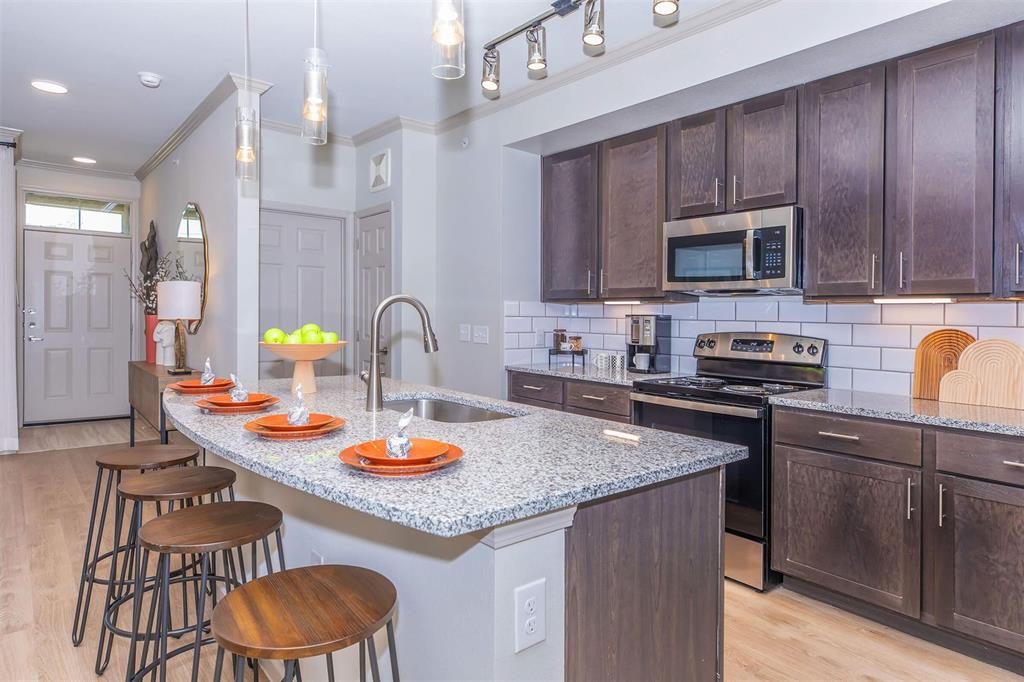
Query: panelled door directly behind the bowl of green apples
x=301 y=262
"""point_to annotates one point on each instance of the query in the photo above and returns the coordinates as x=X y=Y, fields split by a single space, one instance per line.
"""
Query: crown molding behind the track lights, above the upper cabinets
x=692 y=26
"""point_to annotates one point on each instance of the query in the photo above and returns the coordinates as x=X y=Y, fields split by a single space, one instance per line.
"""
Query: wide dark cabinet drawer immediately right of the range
x=889 y=443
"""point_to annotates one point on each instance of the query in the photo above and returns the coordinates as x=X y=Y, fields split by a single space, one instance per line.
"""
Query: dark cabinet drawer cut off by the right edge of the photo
x=994 y=459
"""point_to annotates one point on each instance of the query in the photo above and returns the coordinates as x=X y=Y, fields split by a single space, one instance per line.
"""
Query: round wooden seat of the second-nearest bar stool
x=210 y=528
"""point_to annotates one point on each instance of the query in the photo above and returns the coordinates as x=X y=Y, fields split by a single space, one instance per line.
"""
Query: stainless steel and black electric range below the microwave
x=728 y=400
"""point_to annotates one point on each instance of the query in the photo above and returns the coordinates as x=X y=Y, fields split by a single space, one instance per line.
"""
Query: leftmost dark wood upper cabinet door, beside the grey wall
x=571 y=215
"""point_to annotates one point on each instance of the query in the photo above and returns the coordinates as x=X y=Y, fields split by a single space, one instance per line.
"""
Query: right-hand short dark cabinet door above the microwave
x=762 y=152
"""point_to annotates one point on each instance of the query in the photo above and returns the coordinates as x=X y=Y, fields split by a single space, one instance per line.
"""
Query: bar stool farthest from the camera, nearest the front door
x=113 y=463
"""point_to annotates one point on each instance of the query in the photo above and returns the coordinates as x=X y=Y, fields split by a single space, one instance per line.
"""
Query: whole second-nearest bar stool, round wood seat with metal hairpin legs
x=205 y=530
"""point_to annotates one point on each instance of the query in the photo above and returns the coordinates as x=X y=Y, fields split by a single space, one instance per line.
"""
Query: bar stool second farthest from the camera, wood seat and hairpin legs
x=185 y=487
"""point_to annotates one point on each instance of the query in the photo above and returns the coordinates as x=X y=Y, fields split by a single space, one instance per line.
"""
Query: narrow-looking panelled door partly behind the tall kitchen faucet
x=373 y=283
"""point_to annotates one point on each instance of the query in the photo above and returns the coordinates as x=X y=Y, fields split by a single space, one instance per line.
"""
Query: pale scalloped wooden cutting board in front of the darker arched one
x=990 y=373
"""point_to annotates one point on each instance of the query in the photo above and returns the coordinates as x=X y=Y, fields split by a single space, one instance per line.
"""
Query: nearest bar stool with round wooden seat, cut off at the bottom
x=305 y=613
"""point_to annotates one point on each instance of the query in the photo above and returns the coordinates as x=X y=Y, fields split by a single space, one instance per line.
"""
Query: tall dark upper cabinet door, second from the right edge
x=941 y=142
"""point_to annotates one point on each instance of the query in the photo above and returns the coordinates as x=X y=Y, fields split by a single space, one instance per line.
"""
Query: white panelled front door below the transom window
x=77 y=326
